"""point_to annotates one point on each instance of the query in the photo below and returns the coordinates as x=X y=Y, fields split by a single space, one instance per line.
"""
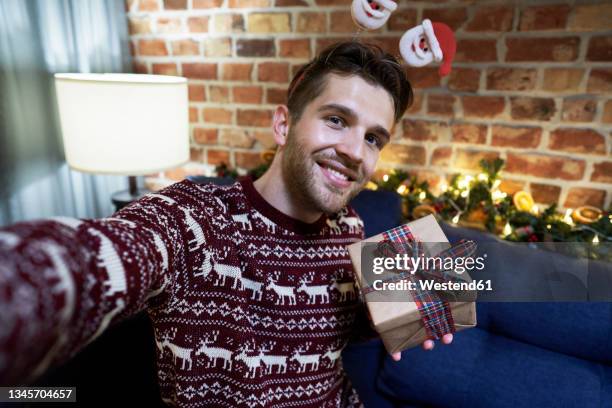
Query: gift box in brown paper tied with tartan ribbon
x=406 y=318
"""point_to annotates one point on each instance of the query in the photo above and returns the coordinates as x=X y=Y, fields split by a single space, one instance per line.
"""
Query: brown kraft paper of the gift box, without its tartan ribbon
x=399 y=321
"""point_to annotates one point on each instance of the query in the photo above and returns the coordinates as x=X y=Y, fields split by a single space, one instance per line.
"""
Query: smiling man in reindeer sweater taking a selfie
x=249 y=286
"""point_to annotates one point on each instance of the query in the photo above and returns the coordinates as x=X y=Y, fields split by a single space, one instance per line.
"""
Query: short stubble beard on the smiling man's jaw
x=306 y=183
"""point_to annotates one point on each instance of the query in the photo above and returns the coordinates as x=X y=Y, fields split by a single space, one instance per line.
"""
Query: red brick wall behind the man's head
x=532 y=84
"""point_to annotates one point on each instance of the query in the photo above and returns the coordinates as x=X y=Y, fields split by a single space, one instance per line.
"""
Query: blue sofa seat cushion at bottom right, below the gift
x=481 y=369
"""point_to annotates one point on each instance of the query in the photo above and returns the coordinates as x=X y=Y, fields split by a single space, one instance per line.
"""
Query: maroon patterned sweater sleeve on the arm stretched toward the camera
x=63 y=281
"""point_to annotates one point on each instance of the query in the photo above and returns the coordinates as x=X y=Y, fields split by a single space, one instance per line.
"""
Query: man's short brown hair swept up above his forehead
x=368 y=61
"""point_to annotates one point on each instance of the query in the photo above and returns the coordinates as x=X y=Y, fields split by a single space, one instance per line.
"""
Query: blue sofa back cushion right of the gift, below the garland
x=579 y=329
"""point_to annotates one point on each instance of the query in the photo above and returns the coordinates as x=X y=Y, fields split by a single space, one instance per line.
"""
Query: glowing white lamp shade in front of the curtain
x=127 y=124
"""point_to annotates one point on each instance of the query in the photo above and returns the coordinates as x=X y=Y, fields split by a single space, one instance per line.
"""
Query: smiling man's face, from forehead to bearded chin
x=331 y=152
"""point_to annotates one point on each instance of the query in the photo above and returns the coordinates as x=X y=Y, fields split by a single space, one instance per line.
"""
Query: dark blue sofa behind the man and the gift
x=537 y=354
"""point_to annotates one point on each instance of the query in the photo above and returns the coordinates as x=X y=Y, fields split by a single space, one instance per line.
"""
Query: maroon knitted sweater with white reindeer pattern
x=250 y=307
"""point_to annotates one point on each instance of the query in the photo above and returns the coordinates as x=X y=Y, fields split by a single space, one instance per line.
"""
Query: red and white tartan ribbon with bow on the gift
x=435 y=313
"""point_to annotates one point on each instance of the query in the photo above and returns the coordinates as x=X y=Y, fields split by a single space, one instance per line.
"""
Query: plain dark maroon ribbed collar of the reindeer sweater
x=258 y=202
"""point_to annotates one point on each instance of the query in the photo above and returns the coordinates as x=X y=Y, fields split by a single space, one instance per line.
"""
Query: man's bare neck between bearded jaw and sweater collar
x=273 y=189
